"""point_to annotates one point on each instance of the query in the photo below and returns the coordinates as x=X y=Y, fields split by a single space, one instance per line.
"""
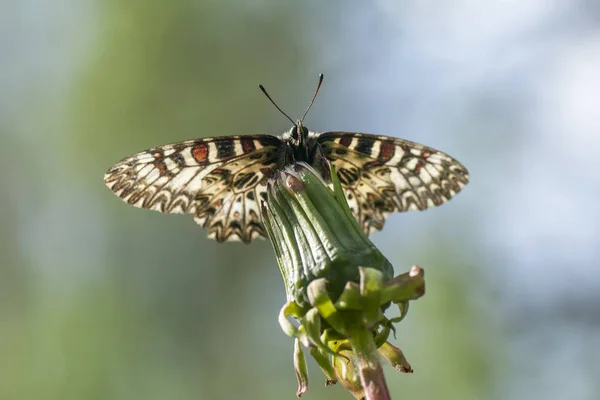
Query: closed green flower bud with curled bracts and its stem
x=338 y=283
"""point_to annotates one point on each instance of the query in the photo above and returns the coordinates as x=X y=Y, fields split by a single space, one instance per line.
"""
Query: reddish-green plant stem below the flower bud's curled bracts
x=367 y=361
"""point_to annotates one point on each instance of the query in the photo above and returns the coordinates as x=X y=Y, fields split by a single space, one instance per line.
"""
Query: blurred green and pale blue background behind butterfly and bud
x=99 y=300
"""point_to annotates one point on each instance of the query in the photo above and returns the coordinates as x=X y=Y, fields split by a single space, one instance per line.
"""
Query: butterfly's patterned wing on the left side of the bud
x=219 y=180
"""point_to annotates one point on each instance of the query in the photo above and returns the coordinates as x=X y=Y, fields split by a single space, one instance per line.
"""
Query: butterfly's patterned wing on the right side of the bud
x=381 y=174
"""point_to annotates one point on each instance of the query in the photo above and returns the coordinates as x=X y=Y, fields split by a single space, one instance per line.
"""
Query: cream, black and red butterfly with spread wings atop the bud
x=222 y=180
